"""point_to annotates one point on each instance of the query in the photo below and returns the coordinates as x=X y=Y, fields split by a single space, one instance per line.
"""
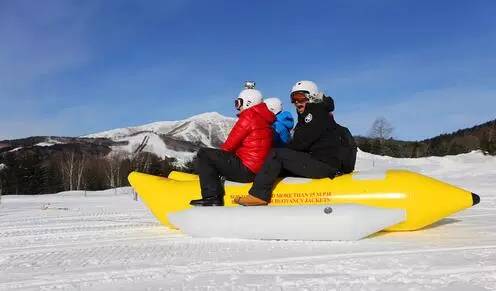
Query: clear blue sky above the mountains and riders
x=78 y=67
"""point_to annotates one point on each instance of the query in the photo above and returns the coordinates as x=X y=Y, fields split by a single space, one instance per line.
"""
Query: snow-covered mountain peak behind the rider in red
x=172 y=139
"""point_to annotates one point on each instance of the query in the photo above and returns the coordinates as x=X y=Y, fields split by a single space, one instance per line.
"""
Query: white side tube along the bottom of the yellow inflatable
x=312 y=222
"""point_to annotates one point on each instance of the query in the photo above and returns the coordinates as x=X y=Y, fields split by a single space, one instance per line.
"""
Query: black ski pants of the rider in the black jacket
x=291 y=162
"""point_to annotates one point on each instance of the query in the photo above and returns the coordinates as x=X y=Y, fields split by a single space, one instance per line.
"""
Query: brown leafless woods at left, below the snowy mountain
x=34 y=172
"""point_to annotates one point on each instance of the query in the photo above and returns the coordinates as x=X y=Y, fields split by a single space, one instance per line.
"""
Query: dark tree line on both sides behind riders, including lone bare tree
x=90 y=164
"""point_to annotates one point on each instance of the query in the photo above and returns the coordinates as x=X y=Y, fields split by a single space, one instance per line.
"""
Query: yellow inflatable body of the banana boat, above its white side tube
x=426 y=200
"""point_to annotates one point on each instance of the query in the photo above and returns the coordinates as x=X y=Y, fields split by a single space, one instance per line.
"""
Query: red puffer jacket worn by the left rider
x=251 y=137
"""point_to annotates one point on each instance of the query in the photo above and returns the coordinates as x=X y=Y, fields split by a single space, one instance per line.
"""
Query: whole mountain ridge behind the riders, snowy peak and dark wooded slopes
x=37 y=165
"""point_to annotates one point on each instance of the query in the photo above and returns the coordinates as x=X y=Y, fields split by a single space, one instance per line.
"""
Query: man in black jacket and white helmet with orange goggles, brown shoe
x=316 y=148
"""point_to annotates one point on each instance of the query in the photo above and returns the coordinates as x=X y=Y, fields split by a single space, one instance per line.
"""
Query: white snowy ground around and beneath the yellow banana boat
x=107 y=241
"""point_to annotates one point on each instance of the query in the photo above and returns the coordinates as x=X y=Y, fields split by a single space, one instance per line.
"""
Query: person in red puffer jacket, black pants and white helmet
x=242 y=155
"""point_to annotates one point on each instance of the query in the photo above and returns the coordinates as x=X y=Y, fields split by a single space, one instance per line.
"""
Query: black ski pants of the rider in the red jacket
x=211 y=164
